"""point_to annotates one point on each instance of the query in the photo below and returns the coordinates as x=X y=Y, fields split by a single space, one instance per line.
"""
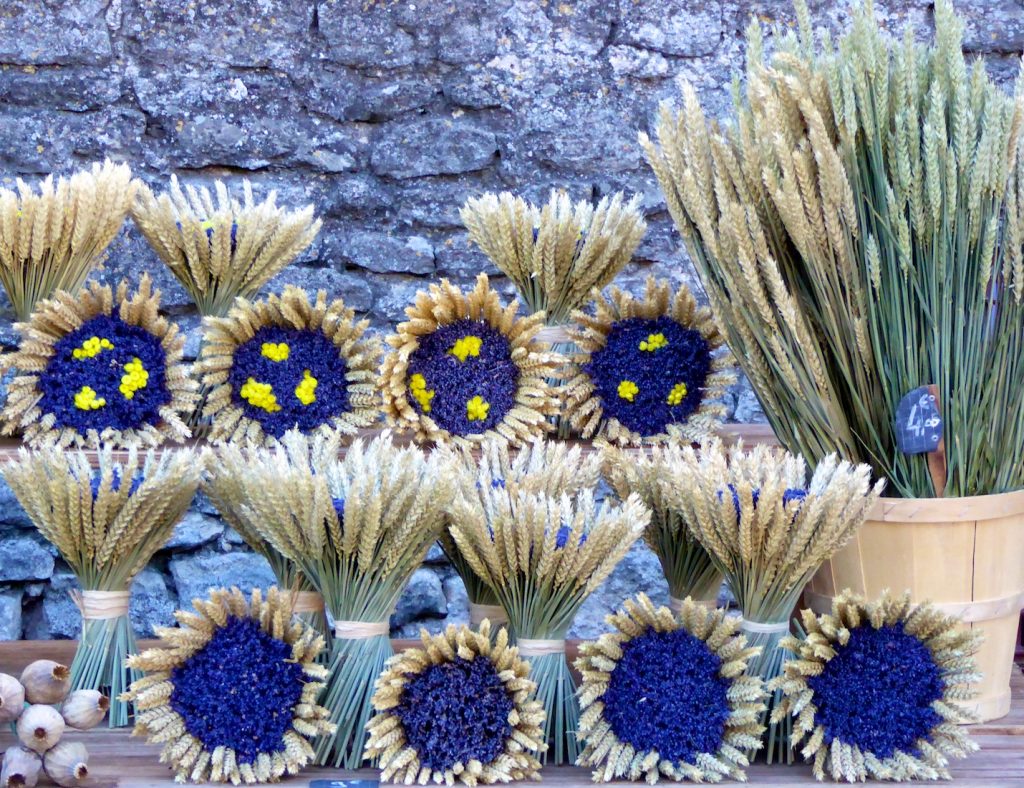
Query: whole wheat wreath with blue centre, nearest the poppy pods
x=232 y=694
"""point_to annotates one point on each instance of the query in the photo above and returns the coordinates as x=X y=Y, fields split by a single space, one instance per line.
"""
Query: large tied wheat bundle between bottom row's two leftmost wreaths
x=357 y=529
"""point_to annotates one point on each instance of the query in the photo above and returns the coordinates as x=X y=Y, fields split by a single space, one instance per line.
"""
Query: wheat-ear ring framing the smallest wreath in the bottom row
x=400 y=761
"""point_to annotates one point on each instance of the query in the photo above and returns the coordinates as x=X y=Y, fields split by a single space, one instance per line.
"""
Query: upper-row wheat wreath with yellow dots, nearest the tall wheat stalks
x=650 y=369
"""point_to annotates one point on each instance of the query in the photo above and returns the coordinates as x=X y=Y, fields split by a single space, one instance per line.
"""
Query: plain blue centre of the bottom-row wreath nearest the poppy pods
x=239 y=690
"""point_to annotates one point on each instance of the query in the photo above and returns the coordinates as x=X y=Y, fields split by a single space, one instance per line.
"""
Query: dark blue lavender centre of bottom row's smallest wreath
x=455 y=713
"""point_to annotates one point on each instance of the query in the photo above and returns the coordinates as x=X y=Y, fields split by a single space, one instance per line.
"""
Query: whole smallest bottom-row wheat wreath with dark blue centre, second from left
x=460 y=709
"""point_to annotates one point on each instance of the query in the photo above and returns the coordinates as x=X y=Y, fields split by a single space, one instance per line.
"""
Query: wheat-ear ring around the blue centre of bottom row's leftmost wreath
x=159 y=722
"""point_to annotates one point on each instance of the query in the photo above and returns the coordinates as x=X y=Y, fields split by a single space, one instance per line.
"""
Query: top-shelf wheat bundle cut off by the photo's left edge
x=52 y=239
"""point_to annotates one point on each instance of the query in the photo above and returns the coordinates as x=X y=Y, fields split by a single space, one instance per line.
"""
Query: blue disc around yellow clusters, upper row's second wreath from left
x=307 y=351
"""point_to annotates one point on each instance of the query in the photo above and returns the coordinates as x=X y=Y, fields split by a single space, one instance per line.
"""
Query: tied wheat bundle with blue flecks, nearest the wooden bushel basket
x=769 y=530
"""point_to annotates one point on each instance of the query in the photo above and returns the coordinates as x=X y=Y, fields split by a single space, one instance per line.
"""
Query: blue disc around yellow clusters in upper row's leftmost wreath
x=65 y=376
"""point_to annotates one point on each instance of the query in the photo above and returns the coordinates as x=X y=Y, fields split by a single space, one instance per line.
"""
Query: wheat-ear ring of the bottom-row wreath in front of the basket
x=950 y=645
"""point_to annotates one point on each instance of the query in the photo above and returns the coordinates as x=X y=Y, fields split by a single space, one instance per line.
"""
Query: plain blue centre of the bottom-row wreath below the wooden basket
x=878 y=691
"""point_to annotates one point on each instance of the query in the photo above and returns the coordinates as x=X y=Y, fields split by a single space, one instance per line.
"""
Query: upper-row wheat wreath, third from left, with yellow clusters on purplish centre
x=464 y=369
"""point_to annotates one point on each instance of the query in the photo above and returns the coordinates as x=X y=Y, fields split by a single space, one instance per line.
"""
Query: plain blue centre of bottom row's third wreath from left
x=666 y=694
